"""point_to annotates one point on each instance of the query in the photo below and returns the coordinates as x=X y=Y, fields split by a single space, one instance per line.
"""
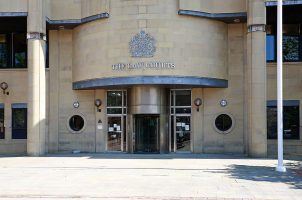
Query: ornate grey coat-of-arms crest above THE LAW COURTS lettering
x=142 y=45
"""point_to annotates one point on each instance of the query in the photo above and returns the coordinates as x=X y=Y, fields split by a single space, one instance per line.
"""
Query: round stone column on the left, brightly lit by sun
x=36 y=30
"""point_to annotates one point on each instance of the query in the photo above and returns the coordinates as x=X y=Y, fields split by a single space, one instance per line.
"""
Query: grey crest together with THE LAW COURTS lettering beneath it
x=142 y=45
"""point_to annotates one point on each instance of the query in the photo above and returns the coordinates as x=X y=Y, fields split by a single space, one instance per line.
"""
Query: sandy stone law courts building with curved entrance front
x=147 y=76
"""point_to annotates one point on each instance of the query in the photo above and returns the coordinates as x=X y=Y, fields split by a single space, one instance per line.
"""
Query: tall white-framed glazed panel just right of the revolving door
x=180 y=121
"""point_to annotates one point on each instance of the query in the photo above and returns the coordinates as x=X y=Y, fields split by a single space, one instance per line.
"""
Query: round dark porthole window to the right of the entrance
x=224 y=123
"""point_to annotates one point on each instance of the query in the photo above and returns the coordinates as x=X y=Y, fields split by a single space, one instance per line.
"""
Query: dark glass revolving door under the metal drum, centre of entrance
x=146 y=133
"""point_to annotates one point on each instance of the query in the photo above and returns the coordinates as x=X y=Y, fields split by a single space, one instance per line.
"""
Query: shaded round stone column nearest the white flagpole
x=256 y=80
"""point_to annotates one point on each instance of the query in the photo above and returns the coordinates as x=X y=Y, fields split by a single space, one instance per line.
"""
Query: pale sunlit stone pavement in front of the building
x=126 y=176
